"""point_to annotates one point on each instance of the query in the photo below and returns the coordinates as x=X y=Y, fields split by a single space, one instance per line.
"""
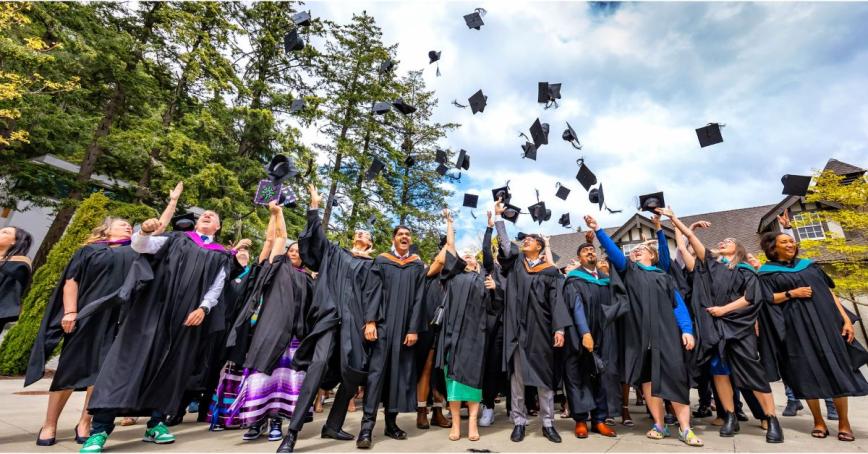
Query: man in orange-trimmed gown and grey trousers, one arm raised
x=534 y=321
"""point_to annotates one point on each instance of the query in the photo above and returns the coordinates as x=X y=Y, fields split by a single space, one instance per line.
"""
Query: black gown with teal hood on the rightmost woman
x=804 y=335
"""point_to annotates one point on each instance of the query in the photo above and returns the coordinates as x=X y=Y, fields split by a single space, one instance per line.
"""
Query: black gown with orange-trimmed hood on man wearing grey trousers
x=534 y=311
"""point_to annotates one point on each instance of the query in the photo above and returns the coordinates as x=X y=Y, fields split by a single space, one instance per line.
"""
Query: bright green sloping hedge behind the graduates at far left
x=15 y=350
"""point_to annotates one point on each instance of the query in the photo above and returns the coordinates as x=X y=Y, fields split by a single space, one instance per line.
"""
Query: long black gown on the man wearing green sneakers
x=150 y=363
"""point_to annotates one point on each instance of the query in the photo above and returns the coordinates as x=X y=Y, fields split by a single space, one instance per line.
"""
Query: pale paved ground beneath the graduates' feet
x=21 y=416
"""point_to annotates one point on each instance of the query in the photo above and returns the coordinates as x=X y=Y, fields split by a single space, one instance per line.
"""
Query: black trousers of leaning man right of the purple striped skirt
x=314 y=376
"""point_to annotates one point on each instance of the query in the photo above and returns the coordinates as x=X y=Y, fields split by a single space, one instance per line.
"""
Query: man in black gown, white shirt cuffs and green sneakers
x=148 y=367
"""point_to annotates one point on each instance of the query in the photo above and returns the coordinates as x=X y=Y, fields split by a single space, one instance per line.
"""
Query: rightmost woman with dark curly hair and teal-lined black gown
x=809 y=335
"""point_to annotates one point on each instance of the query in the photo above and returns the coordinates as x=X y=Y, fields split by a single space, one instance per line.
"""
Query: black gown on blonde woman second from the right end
x=733 y=336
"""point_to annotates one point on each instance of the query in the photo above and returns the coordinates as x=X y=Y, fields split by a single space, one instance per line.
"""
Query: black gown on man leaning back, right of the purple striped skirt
x=345 y=285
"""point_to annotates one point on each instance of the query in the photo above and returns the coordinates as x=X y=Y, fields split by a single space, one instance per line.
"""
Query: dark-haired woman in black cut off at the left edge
x=14 y=272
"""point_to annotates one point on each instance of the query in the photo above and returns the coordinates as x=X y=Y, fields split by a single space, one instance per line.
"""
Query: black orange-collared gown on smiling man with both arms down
x=398 y=312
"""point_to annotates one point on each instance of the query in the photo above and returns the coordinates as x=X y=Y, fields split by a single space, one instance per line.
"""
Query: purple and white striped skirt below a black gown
x=262 y=396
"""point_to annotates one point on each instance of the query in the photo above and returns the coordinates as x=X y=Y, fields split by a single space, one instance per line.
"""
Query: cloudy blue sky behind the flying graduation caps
x=789 y=80
